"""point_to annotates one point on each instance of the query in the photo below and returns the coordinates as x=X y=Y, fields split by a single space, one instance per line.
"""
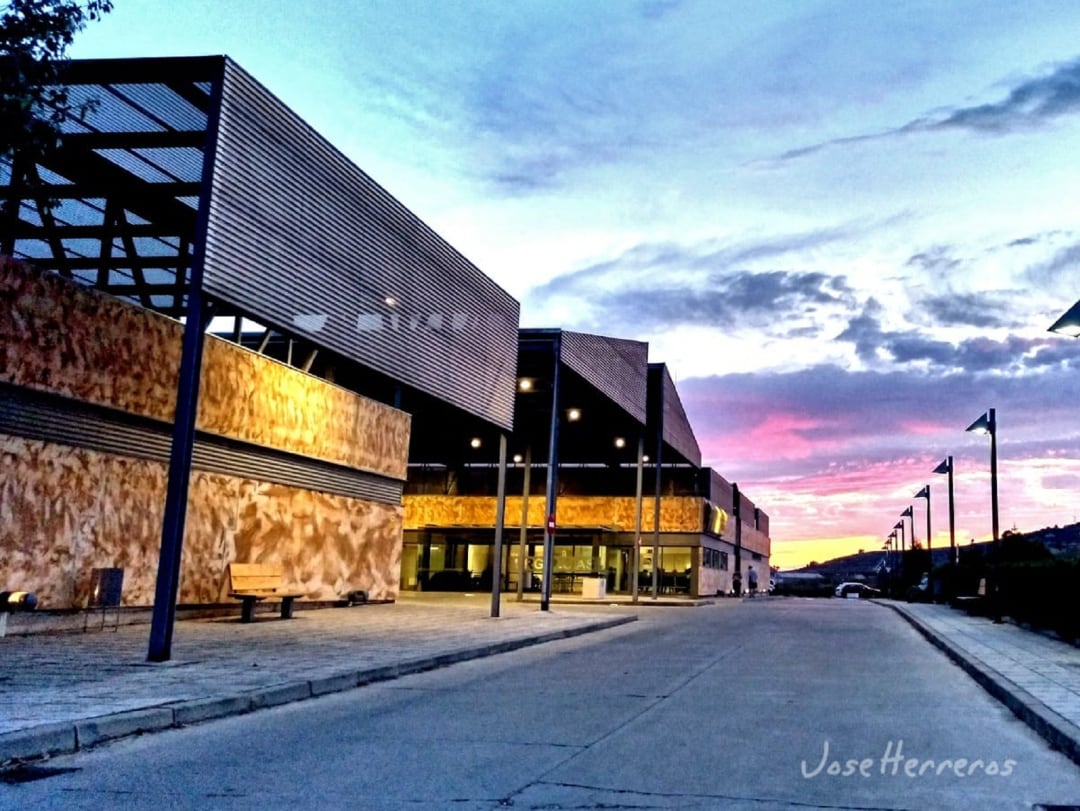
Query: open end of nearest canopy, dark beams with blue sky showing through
x=115 y=207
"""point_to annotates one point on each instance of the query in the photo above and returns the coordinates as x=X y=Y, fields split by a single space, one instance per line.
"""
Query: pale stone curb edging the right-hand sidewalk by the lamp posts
x=1058 y=732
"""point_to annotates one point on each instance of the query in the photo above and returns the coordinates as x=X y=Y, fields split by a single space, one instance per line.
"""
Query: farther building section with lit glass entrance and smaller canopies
x=628 y=497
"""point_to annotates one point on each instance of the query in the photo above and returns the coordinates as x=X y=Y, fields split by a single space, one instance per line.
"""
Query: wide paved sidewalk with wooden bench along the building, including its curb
x=61 y=693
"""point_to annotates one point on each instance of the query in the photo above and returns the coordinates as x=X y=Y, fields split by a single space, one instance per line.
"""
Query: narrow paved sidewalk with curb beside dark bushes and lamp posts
x=1036 y=677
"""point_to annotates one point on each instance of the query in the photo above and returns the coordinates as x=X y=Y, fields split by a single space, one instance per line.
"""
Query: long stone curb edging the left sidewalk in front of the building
x=69 y=737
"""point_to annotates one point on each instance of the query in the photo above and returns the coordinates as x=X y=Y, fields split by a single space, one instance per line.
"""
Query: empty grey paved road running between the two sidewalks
x=730 y=707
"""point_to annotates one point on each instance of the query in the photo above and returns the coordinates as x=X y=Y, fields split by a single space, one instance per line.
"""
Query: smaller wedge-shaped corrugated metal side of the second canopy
x=617 y=368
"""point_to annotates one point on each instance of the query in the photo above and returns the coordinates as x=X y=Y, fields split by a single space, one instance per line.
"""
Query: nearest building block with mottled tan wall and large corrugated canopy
x=192 y=200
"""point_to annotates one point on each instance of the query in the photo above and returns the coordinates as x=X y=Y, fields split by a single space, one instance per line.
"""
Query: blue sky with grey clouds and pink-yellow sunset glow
x=845 y=226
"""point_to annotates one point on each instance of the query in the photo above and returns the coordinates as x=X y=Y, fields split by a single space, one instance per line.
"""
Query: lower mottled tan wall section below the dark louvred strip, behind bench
x=65 y=511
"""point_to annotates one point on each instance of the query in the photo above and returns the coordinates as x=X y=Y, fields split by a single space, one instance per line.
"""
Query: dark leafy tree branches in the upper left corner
x=34 y=103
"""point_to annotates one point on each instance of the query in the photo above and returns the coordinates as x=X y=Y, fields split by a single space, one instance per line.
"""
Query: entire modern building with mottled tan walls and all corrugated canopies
x=222 y=342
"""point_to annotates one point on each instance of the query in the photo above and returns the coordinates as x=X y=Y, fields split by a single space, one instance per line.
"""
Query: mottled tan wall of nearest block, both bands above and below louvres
x=66 y=510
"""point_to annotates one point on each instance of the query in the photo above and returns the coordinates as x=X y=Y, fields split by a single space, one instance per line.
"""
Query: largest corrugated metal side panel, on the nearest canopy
x=302 y=239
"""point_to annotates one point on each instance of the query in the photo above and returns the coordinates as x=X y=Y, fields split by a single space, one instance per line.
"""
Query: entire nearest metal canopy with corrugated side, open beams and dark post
x=190 y=190
